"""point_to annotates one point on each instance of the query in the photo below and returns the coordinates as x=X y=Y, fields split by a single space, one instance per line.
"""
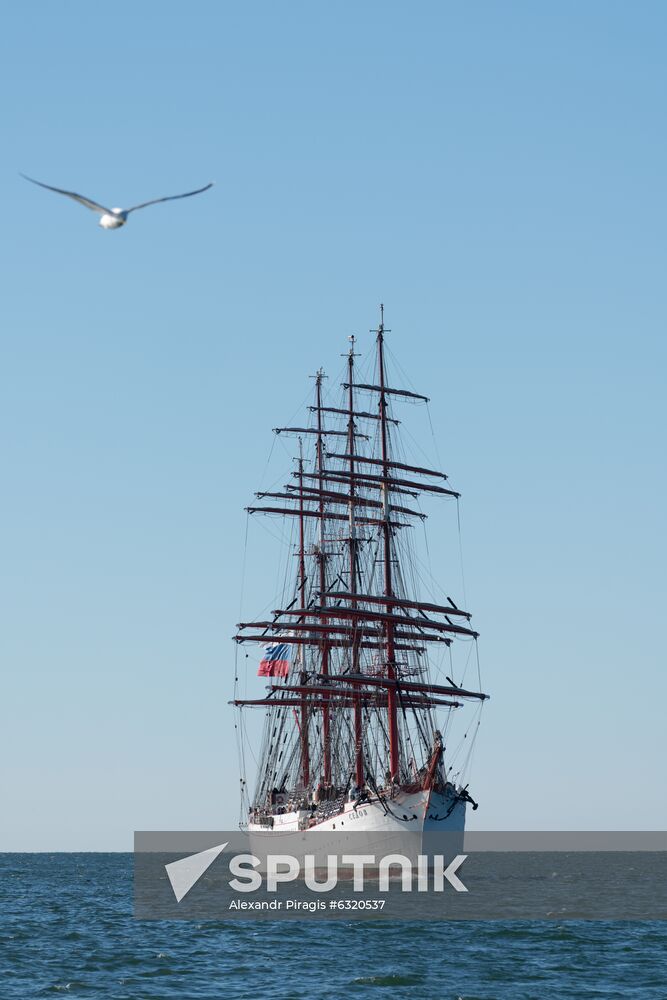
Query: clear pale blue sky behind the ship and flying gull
x=495 y=173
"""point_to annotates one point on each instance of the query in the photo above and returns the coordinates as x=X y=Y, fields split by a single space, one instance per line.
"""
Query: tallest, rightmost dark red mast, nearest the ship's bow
x=394 y=752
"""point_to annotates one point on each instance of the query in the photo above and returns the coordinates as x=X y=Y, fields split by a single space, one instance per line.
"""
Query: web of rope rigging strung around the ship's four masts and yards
x=312 y=732
